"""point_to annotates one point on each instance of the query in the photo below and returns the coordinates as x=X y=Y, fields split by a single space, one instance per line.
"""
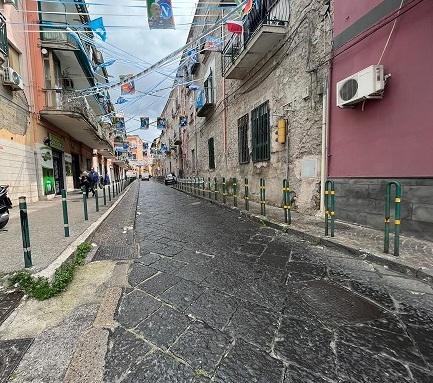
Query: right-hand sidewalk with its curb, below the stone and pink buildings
x=416 y=256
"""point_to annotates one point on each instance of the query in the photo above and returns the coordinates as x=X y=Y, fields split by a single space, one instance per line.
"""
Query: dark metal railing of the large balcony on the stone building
x=269 y=14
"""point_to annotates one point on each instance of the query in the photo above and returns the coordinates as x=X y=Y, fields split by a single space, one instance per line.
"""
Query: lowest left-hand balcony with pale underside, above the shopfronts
x=75 y=117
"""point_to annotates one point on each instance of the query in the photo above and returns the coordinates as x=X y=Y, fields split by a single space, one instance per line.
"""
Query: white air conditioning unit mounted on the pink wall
x=366 y=84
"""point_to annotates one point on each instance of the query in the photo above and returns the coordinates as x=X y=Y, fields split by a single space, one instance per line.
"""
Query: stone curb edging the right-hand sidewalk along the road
x=424 y=275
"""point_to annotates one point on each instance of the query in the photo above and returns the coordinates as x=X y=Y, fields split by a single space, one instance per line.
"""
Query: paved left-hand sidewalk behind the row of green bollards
x=46 y=230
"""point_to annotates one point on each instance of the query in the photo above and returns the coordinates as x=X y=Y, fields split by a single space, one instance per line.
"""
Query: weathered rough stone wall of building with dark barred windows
x=291 y=78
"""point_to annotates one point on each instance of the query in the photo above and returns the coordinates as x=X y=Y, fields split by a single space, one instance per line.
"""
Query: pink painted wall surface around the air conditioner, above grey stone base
x=392 y=137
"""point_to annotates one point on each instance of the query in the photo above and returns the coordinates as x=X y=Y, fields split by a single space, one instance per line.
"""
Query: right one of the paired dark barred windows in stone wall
x=261 y=134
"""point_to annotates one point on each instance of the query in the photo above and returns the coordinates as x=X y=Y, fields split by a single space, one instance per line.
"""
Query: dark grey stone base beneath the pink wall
x=363 y=201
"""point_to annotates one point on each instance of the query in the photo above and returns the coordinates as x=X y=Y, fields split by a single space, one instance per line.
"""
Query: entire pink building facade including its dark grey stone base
x=390 y=138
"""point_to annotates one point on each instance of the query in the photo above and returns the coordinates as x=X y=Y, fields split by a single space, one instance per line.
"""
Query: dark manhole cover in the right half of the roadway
x=336 y=303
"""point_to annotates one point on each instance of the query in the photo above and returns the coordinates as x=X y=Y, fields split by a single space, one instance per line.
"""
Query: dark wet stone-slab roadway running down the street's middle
x=215 y=297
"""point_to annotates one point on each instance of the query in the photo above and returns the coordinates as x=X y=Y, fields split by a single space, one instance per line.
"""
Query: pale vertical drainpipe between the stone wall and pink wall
x=325 y=140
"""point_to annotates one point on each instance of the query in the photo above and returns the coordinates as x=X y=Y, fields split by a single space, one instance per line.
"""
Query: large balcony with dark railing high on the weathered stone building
x=265 y=27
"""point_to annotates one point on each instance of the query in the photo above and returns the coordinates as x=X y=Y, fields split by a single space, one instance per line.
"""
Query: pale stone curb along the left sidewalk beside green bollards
x=49 y=271
